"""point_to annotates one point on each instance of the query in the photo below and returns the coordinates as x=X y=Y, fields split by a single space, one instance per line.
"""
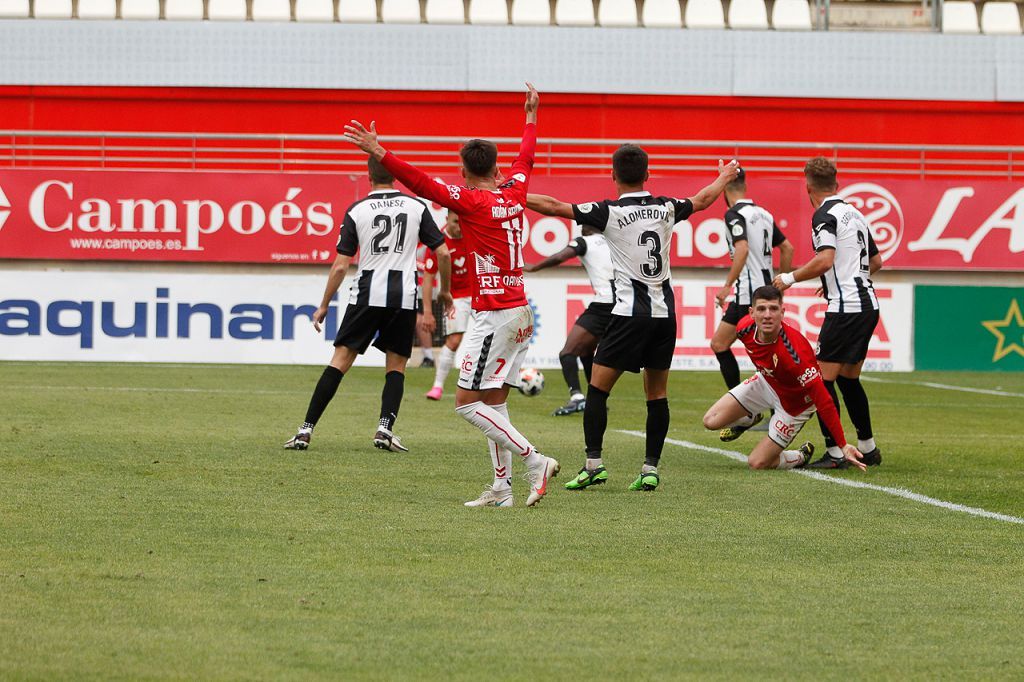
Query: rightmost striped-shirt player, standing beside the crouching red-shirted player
x=846 y=258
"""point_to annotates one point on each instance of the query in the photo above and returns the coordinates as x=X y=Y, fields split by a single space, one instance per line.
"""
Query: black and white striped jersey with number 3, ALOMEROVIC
x=638 y=230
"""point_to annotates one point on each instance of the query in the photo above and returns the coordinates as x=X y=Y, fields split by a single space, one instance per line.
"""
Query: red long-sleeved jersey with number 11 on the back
x=492 y=225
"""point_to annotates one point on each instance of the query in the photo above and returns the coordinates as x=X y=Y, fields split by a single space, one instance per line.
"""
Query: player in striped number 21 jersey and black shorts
x=385 y=229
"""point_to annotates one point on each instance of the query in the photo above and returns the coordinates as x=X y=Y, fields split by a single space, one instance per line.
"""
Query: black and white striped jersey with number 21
x=386 y=228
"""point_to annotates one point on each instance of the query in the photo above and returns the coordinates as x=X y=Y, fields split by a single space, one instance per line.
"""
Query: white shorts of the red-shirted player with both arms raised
x=493 y=351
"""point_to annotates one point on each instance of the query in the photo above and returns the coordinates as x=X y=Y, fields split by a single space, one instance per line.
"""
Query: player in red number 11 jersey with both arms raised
x=490 y=209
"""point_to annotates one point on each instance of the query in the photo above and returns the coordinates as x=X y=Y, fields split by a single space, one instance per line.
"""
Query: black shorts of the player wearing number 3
x=632 y=344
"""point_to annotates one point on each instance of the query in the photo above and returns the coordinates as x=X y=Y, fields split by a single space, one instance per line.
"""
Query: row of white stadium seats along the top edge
x=961 y=17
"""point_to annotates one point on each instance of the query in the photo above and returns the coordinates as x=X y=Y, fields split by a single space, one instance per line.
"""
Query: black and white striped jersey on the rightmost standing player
x=847 y=284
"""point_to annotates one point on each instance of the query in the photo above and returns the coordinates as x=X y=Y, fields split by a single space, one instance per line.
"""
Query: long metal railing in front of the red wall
x=331 y=154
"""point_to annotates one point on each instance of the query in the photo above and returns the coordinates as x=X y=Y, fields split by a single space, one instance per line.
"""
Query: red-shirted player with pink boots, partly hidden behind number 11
x=457 y=322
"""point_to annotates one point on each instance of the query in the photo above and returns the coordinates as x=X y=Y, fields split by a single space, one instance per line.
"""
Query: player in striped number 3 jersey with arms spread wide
x=643 y=332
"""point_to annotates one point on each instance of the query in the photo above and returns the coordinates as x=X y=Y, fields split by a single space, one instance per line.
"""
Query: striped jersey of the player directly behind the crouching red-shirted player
x=746 y=222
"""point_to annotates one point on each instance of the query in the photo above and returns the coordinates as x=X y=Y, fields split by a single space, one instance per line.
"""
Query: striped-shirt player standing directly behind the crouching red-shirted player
x=752 y=234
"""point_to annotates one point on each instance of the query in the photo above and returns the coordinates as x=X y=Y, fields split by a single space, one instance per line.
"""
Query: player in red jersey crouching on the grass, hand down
x=788 y=381
